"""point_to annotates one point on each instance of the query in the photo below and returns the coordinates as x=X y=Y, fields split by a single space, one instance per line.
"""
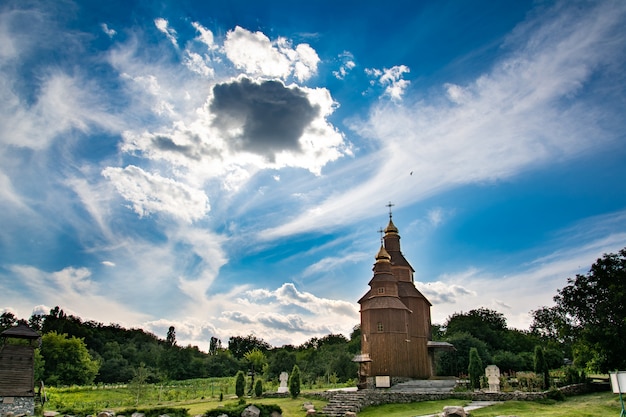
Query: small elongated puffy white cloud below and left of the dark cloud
x=152 y=193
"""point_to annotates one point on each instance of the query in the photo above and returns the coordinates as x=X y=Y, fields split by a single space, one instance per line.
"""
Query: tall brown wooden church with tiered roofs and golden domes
x=395 y=317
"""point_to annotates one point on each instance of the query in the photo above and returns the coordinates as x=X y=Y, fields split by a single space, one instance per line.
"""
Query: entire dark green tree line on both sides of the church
x=585 y=328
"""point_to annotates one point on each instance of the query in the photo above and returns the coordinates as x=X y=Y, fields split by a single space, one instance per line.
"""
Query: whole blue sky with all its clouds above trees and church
x=224 y=167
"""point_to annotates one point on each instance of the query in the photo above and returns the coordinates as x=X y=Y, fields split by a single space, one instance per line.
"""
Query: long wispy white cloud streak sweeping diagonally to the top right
x=527 y=111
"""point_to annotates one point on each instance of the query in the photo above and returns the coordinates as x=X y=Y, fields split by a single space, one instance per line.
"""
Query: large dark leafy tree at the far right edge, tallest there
x=596 y=305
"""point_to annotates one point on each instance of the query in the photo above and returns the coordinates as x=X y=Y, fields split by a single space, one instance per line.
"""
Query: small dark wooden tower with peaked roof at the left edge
x=17 y=368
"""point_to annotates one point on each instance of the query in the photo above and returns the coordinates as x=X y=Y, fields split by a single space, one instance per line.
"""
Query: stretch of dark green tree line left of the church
x=73 y=351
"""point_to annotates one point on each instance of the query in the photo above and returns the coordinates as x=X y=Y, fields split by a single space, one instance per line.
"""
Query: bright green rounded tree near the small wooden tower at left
x=67 y=360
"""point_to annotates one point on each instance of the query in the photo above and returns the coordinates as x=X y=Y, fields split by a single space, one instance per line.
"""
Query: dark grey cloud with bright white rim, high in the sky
x=271 y=116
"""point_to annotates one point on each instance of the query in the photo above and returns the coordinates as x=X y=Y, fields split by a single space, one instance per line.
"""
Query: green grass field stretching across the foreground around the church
x=199 y=396
